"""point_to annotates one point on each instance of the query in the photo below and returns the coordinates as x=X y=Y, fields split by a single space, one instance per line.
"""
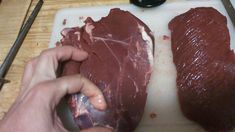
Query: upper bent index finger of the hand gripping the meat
x=48 y=62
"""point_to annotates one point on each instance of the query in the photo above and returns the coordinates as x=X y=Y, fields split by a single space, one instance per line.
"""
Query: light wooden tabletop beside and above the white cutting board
x=36 y=40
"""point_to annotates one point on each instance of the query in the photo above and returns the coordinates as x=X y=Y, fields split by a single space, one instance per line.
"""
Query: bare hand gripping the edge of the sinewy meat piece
x=41 y=91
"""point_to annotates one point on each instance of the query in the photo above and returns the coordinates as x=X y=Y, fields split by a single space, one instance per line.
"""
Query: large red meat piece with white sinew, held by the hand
x=120 y=49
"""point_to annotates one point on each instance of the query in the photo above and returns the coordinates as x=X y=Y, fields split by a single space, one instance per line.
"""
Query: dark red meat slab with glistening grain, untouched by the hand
x=205 y=67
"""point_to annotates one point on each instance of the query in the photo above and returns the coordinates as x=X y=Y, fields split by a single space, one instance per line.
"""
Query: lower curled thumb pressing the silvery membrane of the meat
x=58 y=88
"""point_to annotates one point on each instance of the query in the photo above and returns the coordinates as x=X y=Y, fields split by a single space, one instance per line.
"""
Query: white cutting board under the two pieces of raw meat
x=162 y=96
